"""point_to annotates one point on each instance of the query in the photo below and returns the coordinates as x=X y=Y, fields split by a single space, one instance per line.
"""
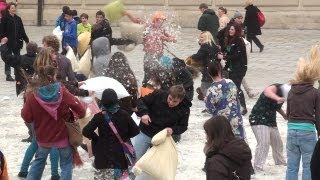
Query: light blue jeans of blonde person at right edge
x=299 y=143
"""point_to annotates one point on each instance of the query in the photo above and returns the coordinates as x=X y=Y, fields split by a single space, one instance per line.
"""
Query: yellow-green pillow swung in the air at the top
x=114 y=10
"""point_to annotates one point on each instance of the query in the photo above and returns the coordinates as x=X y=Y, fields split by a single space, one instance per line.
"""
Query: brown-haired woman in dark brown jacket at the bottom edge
x=227 y=157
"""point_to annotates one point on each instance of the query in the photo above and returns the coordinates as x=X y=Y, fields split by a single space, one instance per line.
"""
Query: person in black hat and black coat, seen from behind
x=110 y=161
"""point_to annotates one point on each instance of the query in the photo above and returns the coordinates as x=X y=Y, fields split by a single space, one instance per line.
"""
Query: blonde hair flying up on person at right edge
x=308 y=70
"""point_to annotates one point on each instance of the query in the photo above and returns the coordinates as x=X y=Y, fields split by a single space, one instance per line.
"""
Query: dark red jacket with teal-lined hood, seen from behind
x=49 y=107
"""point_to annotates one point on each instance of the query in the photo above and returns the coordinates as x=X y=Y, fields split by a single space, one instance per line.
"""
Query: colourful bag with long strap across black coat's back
x=128 y=149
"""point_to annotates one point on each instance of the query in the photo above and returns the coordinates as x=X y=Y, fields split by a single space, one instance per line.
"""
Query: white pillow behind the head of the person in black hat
x=99 y=84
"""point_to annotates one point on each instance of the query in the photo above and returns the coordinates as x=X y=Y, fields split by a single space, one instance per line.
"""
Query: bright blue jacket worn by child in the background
x=70 y=35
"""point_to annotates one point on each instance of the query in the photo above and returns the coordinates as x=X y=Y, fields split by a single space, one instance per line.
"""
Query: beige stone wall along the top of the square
x=284 y=14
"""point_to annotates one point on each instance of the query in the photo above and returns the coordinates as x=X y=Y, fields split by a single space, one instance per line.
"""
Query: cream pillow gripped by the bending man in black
x=161 y=160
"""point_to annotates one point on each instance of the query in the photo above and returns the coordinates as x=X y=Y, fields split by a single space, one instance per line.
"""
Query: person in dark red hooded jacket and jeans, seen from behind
x=49 y=105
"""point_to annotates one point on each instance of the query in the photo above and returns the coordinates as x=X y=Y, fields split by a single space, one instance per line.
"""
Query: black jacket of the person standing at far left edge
x=12 y=28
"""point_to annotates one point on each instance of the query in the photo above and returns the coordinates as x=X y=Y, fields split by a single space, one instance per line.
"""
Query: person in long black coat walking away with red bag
x=252 y=24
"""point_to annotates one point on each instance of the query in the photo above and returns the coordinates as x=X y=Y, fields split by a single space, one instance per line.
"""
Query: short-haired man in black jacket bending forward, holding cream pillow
x=162 y=110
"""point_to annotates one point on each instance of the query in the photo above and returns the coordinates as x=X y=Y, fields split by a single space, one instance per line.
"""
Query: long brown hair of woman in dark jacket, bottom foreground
x=218 y=131
